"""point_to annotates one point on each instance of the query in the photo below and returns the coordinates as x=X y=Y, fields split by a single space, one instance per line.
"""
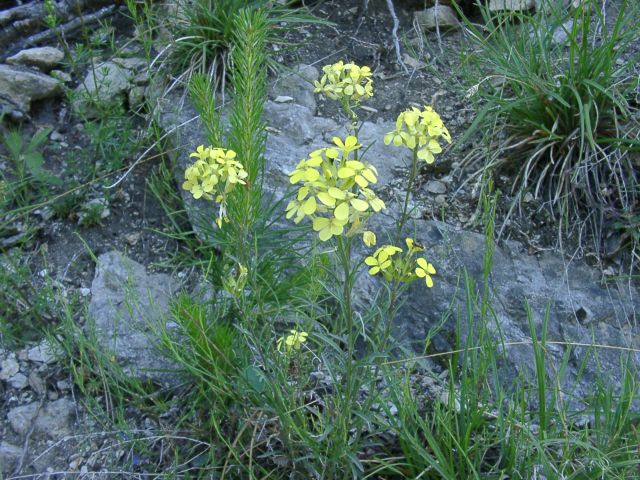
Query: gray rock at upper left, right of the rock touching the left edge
x=108 y=84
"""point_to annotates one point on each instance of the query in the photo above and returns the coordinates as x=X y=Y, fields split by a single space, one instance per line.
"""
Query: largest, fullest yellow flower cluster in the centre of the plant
x=335 y=190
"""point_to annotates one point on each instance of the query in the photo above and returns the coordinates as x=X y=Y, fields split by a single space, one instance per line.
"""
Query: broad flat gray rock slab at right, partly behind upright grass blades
x=582 y=310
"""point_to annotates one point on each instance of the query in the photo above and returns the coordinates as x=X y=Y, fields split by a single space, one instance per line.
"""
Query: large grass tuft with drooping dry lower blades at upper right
x=555 y=95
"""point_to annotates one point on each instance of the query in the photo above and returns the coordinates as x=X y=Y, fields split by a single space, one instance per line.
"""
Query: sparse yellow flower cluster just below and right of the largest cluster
x=400 y=268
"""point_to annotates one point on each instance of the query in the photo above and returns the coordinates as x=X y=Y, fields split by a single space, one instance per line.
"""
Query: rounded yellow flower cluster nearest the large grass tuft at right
x=419 y=129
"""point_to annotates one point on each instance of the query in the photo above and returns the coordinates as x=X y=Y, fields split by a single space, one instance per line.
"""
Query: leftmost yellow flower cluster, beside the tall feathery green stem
x=213 y=175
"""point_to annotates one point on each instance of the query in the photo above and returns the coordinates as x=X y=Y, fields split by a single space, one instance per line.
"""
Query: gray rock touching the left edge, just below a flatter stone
x=21 y=86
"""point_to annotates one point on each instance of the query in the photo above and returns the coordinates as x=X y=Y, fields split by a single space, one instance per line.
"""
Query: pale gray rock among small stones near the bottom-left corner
x=52 y=419
